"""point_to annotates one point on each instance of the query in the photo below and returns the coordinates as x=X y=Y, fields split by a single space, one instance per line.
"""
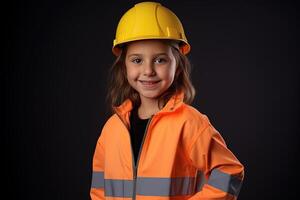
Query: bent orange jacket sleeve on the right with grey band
x=220 y=174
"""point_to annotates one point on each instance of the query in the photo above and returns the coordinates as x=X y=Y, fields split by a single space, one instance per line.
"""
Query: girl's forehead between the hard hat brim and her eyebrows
x=148 y=47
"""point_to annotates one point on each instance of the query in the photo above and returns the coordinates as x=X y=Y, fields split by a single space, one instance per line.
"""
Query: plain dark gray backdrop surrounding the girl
x=56 y=60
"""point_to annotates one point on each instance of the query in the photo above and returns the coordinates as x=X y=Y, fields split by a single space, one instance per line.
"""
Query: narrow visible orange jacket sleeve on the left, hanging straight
x=97 y=185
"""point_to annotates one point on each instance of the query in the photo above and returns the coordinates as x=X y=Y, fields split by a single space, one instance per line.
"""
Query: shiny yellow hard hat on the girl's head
x=149 y=20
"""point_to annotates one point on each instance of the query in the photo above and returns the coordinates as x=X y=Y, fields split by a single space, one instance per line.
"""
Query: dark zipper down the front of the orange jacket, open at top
x=135 y=165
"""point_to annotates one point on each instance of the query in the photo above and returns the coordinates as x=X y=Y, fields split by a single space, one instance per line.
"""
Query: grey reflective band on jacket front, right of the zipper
x=165 y=186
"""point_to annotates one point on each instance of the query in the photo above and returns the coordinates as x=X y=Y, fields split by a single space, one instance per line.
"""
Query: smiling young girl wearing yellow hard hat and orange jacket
x=157 y=146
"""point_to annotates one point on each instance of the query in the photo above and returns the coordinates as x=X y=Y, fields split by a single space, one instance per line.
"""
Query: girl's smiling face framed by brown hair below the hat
x=150 y=67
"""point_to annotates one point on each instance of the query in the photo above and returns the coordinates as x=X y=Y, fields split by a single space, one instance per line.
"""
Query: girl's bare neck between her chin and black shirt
x=148 y=108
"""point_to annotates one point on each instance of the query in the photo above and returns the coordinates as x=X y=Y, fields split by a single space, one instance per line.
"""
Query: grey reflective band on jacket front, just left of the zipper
x=118 y=188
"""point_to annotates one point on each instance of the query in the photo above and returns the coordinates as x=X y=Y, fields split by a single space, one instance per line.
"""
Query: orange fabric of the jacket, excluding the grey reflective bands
x=179 y=141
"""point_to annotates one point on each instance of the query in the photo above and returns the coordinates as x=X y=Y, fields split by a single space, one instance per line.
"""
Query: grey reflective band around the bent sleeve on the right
x=225 y=182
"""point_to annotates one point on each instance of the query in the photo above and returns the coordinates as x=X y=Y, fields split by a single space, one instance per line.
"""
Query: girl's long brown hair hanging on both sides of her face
x=119 y=89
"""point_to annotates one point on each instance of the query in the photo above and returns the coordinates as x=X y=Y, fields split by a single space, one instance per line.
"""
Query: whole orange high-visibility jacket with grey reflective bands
x=182 y=156
